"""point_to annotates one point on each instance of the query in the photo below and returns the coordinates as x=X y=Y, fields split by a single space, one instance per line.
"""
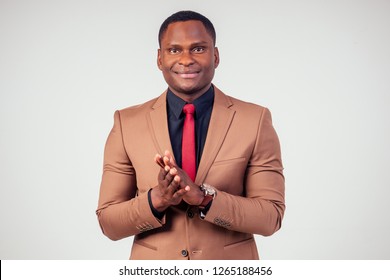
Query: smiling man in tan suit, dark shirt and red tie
x=216 y=178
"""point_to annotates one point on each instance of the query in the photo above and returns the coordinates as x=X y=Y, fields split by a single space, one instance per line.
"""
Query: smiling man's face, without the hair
x=187 y=59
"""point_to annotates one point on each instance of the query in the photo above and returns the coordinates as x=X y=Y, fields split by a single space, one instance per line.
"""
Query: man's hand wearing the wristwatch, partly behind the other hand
x=193 y=194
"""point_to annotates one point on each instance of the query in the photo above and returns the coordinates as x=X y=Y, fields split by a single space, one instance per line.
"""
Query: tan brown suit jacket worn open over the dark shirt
x=241 y=159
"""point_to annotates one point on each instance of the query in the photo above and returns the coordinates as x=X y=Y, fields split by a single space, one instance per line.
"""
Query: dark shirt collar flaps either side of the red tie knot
x=202 y=103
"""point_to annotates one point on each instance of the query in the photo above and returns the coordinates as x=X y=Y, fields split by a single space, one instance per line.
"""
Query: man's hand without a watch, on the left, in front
x=168 y=191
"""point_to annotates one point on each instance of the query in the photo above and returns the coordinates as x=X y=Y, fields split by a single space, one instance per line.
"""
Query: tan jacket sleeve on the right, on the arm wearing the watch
x=261 y=210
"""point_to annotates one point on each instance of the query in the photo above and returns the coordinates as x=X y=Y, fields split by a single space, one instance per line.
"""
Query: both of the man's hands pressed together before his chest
x=174 y=185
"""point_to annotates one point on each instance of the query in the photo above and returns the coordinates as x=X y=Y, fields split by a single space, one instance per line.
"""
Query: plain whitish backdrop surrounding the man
x=322 y=67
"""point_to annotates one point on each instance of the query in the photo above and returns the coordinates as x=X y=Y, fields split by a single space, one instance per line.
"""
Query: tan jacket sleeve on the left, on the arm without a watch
x=122 y=211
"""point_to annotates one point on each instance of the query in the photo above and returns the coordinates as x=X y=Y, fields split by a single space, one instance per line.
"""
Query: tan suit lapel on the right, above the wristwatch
x=221 y=118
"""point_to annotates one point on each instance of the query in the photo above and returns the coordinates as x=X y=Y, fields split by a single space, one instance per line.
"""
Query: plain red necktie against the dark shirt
x=188 y=142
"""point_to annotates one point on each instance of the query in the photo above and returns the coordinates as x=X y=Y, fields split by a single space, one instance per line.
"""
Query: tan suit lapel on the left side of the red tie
x=158 y=124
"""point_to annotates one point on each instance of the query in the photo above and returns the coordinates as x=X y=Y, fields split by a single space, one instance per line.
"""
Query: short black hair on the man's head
x=186 y=16
